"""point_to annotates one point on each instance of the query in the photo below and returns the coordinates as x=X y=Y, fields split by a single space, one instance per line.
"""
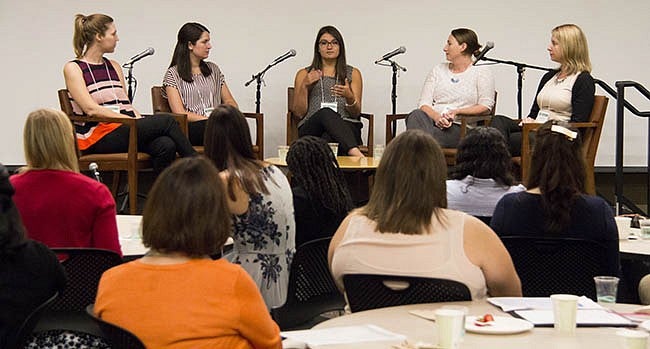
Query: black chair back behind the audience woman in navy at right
x=548 y=266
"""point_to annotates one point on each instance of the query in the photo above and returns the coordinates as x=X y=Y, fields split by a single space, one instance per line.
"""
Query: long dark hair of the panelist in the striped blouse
x=189 y=33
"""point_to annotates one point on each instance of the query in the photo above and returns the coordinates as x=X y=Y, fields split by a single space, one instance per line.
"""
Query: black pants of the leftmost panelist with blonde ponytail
x=159 y=136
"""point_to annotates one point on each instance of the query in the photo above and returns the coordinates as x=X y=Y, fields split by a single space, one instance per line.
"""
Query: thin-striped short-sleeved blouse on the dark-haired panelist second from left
x=203 y=92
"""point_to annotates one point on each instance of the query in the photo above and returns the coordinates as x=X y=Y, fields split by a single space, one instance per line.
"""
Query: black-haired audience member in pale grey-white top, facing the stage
x=482 y=173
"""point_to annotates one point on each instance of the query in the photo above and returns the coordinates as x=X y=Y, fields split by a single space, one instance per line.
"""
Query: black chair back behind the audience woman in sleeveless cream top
x=366 y=291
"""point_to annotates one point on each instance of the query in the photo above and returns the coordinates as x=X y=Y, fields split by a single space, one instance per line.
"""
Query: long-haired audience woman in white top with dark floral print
x=259 y=197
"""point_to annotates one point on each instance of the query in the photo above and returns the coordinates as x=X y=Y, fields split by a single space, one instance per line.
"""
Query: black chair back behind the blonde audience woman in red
x=84 y=267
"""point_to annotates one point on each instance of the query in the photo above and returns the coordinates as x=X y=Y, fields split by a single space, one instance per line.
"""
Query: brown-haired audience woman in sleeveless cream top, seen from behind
x=405 y=228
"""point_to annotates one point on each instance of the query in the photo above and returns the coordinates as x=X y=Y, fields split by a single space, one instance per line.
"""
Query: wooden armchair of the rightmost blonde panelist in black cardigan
x=589 y=132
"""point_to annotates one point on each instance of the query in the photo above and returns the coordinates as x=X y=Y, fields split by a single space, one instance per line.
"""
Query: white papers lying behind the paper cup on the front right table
x=539 y=311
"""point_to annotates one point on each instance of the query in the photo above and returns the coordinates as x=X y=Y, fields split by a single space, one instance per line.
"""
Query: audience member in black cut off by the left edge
x=29 y=272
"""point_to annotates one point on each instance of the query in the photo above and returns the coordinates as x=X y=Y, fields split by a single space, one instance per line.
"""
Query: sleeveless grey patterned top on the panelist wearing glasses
x=320 y=92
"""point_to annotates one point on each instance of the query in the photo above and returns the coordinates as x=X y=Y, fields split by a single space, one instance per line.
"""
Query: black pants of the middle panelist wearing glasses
x=329 y=125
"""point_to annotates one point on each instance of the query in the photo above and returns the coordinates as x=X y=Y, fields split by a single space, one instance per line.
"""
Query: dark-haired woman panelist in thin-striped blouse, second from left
x=191 y=85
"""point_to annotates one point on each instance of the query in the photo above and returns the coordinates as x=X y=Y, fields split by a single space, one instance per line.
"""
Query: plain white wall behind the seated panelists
x=247 y=35
